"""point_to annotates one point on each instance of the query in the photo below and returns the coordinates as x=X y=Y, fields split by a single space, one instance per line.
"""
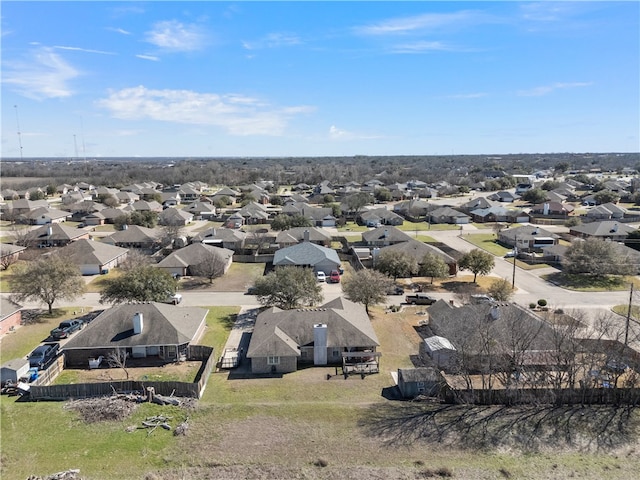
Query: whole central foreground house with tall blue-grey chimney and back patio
x=337 y=333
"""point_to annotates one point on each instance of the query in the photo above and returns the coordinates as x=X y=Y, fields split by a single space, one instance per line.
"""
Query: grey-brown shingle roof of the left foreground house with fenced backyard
x=163 y=324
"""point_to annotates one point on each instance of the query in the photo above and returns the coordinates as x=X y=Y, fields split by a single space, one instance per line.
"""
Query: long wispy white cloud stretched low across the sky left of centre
x=237 y=114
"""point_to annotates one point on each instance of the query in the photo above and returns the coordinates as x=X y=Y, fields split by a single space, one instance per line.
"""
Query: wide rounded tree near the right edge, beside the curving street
x=596 y=258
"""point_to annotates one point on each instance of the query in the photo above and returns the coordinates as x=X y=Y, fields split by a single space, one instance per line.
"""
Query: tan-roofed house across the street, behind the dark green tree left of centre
x=187 y=260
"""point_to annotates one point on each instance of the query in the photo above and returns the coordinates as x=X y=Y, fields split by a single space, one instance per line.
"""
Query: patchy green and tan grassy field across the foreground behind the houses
x=307 y=426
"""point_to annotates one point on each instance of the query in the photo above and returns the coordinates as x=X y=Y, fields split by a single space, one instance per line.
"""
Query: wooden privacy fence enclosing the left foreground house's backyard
x=180 y=389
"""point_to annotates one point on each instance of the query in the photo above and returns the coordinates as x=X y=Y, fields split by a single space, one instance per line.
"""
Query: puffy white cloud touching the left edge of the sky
x=45 y=74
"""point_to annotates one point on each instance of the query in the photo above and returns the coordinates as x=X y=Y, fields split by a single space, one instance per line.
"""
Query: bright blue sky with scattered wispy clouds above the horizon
x=104 y=79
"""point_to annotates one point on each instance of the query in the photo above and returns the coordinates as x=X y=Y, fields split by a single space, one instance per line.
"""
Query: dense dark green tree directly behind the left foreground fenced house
x=144 y=283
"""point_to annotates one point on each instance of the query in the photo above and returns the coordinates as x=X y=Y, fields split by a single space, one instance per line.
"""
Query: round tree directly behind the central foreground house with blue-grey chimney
x=288 y=287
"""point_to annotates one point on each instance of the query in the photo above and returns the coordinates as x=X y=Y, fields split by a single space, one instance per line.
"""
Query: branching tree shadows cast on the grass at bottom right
x=526 y=428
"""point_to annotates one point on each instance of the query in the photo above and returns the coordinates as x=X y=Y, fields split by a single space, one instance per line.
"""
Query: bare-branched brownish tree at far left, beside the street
x=47 y=280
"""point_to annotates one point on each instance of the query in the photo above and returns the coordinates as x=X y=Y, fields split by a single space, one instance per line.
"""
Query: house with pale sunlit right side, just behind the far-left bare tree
x=94 y=258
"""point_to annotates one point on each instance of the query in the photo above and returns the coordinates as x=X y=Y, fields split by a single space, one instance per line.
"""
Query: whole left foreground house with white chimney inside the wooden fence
x=155 y=331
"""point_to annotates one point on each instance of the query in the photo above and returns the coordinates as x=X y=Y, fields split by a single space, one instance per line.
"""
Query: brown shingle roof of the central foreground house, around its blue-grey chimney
x=281 y=332
